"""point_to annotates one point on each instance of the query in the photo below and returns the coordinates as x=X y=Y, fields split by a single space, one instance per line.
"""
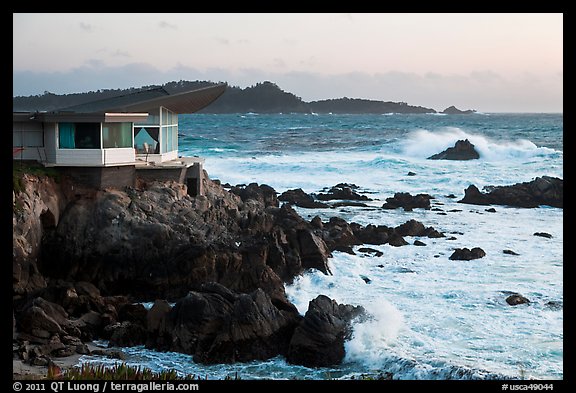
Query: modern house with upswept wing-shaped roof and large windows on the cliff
x=107 y=143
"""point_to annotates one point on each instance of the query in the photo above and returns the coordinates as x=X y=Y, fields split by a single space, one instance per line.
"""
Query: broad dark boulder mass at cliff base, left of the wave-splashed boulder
x=216 y=325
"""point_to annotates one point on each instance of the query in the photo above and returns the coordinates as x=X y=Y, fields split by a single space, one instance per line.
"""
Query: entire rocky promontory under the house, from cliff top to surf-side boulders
x=83 y=257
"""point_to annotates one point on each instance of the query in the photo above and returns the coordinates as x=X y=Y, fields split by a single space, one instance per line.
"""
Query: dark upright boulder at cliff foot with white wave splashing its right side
x=319 y=339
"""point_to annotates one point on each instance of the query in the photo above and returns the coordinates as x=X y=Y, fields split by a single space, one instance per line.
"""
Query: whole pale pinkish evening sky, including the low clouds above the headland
x=490 y=62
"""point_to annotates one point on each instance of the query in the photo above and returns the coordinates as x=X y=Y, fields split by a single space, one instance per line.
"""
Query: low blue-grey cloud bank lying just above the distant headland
x=485 y=91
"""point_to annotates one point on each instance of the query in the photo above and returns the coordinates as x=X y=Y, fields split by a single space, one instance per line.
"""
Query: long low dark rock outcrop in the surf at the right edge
x=545 y=190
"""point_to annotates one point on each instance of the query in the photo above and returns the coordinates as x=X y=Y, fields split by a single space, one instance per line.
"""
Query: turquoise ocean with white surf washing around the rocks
x=432 y=317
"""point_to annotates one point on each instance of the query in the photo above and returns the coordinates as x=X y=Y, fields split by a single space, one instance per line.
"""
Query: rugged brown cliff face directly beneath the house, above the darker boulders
x=155 y=241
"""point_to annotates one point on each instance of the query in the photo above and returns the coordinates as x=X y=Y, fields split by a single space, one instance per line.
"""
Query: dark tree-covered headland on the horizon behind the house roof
x=264 y=97
